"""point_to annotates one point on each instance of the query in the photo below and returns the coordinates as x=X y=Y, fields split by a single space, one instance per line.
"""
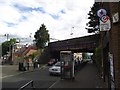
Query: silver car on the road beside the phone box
x=55 y=69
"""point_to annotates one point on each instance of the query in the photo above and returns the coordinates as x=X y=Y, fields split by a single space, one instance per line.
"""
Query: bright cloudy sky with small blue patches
x=21 y=18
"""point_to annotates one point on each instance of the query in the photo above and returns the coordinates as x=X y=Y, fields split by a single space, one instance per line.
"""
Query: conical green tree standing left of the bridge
x=41 y=37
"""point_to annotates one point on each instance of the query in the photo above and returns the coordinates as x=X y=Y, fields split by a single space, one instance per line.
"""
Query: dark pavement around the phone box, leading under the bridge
x=87 y=77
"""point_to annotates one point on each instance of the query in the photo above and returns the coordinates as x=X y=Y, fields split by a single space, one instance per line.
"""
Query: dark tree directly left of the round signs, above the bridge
x=93 y=24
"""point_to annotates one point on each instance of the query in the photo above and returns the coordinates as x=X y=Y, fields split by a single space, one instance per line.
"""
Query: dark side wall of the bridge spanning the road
x=82 y=43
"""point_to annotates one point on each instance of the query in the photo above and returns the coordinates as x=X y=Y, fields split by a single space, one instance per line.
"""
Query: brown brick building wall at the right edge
x=114 y=46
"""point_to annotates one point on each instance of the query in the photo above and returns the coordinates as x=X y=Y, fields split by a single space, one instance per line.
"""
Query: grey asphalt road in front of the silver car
x=40 y=77
